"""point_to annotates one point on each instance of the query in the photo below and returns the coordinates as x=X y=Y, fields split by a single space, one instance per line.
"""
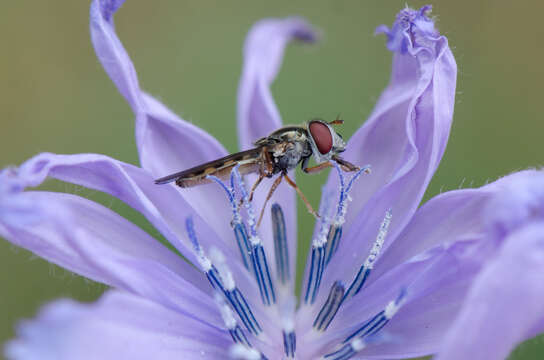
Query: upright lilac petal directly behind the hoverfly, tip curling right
x=257 y=113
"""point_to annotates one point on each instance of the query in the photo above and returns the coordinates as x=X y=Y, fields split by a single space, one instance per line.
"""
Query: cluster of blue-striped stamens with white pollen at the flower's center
x=278 y=295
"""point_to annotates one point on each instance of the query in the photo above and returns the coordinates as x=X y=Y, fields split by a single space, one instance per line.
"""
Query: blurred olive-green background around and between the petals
x=54 y=96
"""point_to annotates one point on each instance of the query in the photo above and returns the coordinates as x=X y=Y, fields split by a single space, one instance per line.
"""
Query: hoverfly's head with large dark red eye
x=324 y=140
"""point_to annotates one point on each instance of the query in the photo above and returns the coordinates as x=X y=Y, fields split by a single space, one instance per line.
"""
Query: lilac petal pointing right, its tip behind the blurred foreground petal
x=452 y=216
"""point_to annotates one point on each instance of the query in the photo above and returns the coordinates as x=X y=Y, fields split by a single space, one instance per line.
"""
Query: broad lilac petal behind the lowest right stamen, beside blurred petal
x=436 y=283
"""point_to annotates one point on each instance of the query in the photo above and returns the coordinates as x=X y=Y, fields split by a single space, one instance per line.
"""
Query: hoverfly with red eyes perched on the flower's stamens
x=275 y=154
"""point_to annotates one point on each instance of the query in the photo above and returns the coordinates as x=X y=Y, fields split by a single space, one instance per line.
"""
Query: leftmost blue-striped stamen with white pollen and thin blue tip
x=221 y=279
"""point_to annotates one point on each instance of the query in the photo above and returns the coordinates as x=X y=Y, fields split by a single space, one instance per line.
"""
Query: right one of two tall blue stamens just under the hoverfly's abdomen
x=258 y=256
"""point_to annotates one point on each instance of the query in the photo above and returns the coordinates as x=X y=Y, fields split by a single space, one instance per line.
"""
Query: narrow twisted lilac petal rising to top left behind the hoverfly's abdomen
x=166 y=143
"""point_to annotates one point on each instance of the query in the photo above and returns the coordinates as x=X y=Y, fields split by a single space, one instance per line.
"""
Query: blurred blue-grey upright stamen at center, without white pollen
x=280 y=244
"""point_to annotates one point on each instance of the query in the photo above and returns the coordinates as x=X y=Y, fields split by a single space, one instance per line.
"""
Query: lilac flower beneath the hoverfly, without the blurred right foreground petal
x=383 y=280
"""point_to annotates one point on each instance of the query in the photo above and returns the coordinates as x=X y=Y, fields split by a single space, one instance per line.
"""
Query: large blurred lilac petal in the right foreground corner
x=504 y=304
